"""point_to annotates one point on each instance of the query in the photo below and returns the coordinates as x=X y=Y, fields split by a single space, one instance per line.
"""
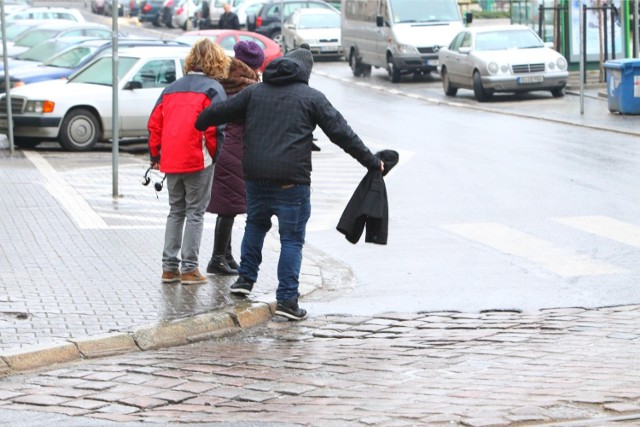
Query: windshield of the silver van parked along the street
x=424 y=11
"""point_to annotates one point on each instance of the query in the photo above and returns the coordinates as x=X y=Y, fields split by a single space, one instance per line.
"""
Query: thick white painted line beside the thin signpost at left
x=75 y=205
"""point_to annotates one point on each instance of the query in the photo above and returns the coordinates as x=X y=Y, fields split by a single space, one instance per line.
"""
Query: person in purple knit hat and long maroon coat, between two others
x=227 y=191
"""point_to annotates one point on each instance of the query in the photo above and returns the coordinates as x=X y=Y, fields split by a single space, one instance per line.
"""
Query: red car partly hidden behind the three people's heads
x=228 y=38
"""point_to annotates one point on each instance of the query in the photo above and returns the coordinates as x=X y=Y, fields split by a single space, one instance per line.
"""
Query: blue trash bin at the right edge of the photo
x=623 y=85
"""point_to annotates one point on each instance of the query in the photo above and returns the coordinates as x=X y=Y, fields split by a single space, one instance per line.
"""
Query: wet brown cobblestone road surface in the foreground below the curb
x=554 y=367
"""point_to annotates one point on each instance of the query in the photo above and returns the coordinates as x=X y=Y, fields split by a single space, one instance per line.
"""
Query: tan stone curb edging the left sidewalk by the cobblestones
x=158 y=335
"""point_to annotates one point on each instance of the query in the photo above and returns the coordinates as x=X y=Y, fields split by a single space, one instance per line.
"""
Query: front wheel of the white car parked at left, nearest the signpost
x=79 y=130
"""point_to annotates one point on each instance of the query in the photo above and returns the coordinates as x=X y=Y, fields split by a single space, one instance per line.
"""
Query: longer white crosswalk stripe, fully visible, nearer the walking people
x=558 y=260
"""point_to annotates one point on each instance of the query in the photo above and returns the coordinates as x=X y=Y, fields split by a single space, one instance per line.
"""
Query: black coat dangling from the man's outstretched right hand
x=369 y=206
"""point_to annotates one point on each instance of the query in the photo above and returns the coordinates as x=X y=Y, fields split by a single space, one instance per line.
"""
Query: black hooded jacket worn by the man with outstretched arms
x=280 y=116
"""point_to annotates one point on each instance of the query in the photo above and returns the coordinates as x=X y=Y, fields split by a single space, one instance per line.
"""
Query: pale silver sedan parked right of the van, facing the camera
x=508 y=58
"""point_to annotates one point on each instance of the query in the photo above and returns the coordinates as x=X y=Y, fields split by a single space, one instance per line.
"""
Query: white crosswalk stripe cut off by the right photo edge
x=603 y=226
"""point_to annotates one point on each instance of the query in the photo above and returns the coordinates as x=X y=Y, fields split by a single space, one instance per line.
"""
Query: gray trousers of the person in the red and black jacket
x=189 y=195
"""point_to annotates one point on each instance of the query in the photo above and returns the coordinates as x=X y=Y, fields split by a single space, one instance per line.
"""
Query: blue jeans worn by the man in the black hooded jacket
x=292 y=207
